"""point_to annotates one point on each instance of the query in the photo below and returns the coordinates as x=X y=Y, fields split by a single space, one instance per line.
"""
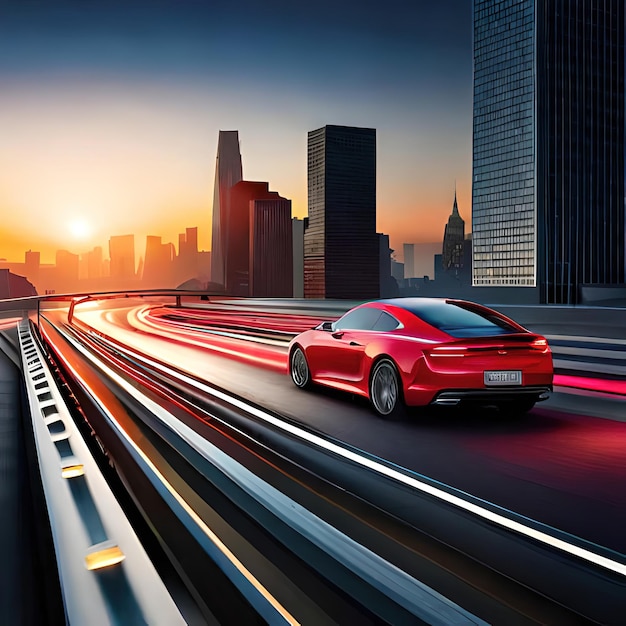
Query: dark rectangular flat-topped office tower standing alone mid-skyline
x=341 y=249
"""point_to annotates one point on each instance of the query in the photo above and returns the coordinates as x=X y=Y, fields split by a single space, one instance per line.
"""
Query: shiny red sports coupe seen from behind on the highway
x=425 y=351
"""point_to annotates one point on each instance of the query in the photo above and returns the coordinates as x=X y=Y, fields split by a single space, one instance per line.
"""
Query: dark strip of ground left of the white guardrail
x=29 y=589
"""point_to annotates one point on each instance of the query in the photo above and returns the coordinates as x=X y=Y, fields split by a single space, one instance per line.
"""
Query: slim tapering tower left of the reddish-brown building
x=228 y=172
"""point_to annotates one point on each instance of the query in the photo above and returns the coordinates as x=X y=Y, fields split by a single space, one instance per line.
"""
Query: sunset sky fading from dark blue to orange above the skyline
x=110 y=111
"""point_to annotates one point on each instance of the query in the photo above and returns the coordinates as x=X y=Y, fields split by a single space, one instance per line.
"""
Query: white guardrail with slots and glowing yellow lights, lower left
x=93 y=540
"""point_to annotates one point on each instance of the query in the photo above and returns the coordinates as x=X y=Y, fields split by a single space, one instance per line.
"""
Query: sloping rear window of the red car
x=457 y=320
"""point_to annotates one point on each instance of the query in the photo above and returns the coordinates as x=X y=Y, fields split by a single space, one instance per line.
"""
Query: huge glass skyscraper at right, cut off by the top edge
x=548 y=147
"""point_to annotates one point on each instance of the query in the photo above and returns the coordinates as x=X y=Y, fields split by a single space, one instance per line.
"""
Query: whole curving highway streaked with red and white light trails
x=437 y=499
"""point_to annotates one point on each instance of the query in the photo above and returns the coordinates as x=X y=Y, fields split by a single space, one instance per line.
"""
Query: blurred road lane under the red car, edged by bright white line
x=564 y=464
